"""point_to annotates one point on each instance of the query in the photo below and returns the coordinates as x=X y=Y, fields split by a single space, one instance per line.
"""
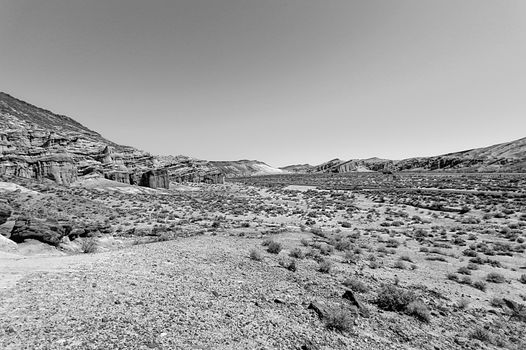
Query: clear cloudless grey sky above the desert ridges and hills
x=281 y=81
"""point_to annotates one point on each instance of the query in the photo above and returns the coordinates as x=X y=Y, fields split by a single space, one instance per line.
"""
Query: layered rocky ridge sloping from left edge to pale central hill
x=37 y=143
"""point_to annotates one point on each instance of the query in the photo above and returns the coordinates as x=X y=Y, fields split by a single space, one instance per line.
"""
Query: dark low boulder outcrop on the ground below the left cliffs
x=38 y=229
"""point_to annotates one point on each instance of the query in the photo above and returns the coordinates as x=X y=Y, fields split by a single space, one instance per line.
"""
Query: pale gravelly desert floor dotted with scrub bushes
x=348 y=261
